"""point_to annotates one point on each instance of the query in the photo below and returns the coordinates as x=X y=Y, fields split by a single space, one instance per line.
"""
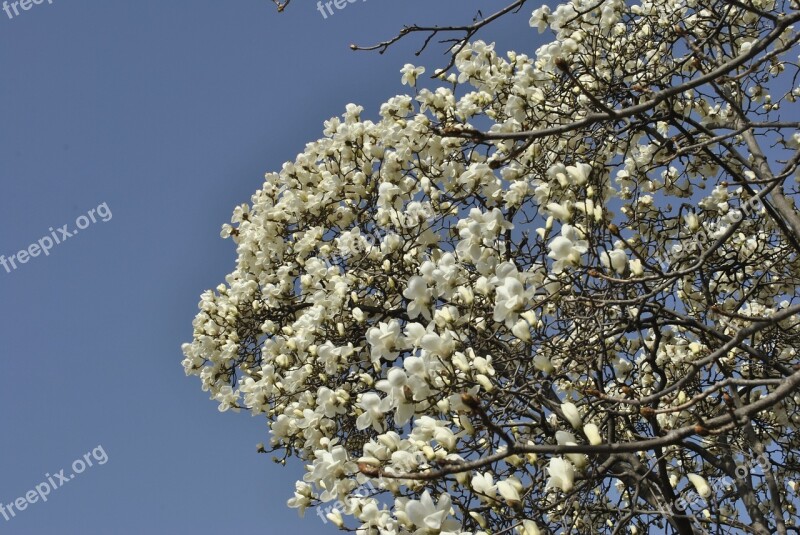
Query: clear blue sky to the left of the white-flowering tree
x=168 y=114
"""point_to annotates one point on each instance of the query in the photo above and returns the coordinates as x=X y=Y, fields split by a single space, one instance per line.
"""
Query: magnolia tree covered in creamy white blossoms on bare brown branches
x=555 y=292
